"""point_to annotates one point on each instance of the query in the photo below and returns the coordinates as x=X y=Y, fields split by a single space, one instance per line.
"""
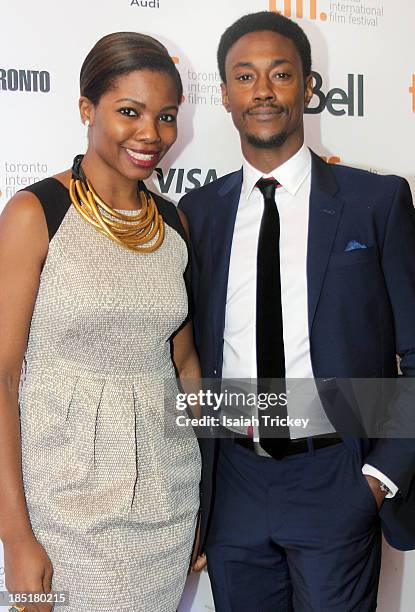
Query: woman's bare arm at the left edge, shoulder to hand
x=23 y=248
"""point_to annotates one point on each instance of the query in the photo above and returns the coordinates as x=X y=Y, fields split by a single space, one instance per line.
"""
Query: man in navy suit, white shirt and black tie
x=296 y=525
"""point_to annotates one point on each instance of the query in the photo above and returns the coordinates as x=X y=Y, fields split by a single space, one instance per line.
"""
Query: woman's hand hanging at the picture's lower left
x=28 y=569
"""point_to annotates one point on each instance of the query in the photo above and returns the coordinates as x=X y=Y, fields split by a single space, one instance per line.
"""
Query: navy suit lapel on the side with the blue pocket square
x=325 y=211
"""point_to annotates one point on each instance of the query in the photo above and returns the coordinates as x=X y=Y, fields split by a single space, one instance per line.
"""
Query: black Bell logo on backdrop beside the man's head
x=336 y=98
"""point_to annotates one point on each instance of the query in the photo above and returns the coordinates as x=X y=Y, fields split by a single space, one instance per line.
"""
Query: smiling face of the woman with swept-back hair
x=134 y=123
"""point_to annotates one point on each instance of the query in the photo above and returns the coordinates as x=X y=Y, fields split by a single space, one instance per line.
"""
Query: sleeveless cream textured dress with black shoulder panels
x=112 y=492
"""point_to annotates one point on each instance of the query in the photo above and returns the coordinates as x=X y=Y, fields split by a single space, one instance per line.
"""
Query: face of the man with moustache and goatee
x=265 y=91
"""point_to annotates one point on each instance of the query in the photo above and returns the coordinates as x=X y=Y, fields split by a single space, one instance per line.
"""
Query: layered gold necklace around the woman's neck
x=131 y=231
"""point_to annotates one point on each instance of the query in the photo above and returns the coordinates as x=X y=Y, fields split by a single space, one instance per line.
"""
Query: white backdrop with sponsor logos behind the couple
x=363 y=113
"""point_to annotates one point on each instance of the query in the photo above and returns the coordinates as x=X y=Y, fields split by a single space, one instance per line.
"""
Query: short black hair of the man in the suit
x=265 y=21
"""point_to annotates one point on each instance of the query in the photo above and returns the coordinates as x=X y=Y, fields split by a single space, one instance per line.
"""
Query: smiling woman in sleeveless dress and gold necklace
x=99 y=502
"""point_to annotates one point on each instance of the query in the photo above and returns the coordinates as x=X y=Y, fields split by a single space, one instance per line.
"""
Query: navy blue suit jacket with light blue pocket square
x=361 y=303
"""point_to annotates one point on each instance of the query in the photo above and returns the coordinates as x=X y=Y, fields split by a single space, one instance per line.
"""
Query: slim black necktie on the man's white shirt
x=269 y=331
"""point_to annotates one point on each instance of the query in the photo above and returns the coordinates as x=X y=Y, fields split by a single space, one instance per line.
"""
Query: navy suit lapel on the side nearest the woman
x=223 y=211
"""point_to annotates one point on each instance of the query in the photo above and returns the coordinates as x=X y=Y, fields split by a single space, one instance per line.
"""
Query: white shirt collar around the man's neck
x=291 y=174
